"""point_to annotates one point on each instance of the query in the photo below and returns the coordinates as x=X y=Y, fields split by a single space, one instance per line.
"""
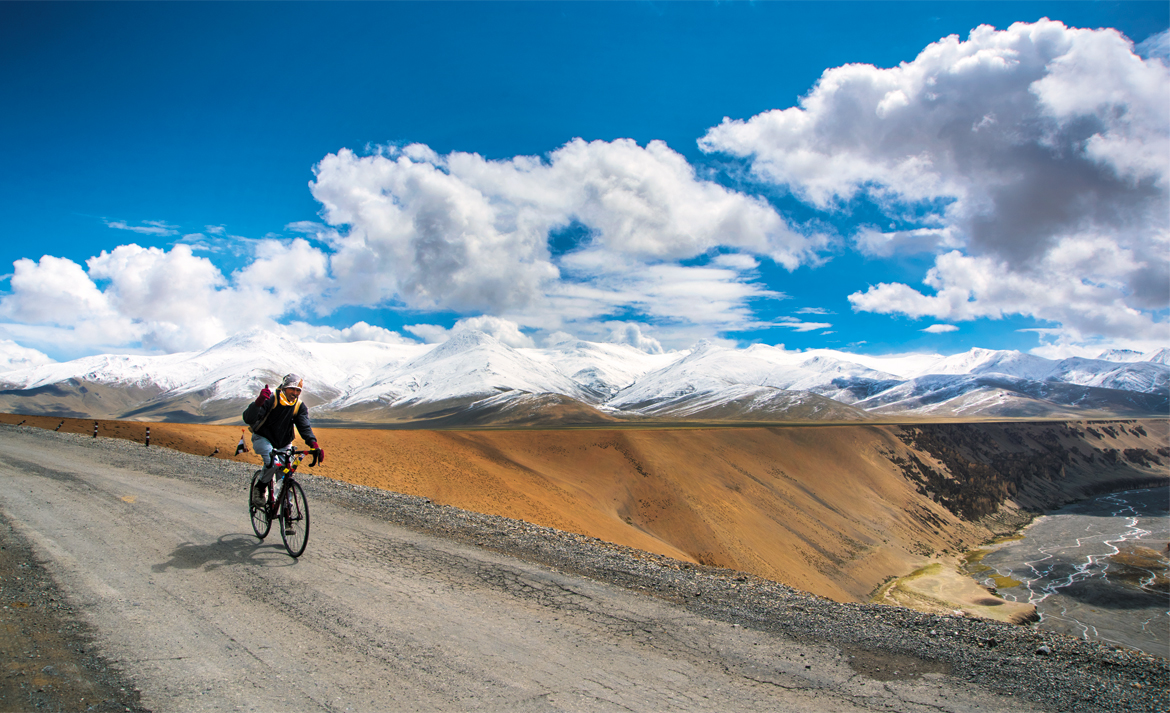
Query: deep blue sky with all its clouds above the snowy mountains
x=191 y=134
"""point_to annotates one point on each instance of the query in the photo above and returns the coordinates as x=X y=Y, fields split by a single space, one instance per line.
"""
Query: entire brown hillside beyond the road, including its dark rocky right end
x=831 y=510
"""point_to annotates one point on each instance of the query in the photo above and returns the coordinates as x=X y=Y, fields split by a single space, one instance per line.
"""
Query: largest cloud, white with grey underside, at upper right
x=1017 y=153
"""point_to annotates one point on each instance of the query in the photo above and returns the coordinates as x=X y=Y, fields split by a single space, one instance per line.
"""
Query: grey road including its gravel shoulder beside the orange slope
x=401 y=605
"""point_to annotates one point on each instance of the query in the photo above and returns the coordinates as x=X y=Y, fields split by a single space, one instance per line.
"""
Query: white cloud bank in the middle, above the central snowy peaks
x=465 y=234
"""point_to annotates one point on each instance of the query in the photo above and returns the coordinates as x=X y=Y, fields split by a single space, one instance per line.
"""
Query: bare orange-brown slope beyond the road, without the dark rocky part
x=820 y=508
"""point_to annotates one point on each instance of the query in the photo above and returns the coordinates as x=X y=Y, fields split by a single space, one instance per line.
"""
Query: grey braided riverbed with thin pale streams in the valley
x=1097 y=570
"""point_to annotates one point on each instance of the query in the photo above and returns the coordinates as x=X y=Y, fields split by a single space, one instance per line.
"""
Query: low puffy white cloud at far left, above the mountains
x=159 y=300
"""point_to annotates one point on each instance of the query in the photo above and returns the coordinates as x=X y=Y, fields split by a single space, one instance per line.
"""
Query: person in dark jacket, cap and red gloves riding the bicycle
x=272 y=419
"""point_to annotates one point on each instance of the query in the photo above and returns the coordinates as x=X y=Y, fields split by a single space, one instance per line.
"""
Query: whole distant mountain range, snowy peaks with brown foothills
x=476 y=380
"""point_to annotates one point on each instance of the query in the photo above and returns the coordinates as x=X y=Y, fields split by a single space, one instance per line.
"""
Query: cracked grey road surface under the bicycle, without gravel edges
x=201 y=616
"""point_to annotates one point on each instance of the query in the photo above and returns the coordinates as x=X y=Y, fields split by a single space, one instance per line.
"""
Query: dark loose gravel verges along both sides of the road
x=1056 y=671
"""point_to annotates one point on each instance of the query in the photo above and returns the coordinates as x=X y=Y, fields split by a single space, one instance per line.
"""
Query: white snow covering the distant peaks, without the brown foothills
x=473 y=366
